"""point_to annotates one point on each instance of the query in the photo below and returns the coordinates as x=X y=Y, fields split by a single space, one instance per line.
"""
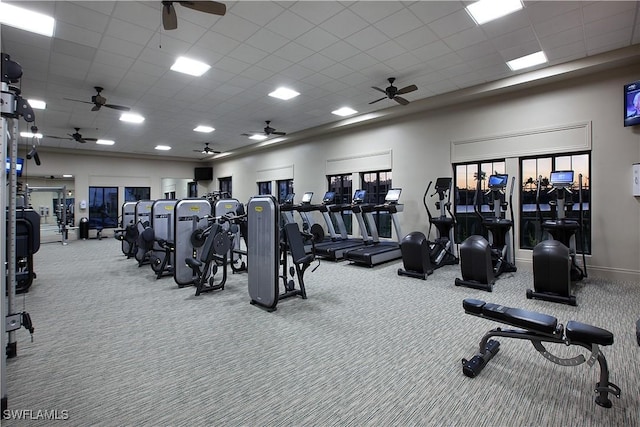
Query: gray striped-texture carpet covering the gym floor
x=113 y=346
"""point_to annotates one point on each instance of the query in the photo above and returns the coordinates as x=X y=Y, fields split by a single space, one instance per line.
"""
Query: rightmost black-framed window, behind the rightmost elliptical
x=531 y=169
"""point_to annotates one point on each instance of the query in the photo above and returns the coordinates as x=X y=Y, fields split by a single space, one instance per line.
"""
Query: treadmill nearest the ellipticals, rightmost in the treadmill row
x=380 y=251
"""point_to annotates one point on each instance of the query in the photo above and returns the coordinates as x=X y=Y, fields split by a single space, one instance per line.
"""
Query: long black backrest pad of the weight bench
x=531 y=320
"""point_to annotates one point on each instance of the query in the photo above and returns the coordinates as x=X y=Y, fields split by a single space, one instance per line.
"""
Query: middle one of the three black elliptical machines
x=482 y=261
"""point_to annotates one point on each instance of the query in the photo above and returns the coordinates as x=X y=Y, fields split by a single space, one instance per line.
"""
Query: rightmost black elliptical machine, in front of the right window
x=554 y=261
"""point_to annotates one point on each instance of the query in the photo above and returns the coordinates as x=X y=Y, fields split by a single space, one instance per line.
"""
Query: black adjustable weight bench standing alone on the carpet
x=540 y=328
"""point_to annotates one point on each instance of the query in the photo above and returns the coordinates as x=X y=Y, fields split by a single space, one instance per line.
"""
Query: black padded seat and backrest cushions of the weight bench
x=538 y=322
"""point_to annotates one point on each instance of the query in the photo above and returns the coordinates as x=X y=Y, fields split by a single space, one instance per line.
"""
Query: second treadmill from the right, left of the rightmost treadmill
x=334 y=250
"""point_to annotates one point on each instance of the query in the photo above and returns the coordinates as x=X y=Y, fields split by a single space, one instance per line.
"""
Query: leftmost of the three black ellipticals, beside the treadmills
x=421 y=256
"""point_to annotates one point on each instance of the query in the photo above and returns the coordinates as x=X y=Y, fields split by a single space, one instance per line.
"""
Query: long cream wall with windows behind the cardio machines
x=420 y=147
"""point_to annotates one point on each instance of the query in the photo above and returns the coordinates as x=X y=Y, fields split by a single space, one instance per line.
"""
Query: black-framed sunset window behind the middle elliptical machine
x=466 y=176
